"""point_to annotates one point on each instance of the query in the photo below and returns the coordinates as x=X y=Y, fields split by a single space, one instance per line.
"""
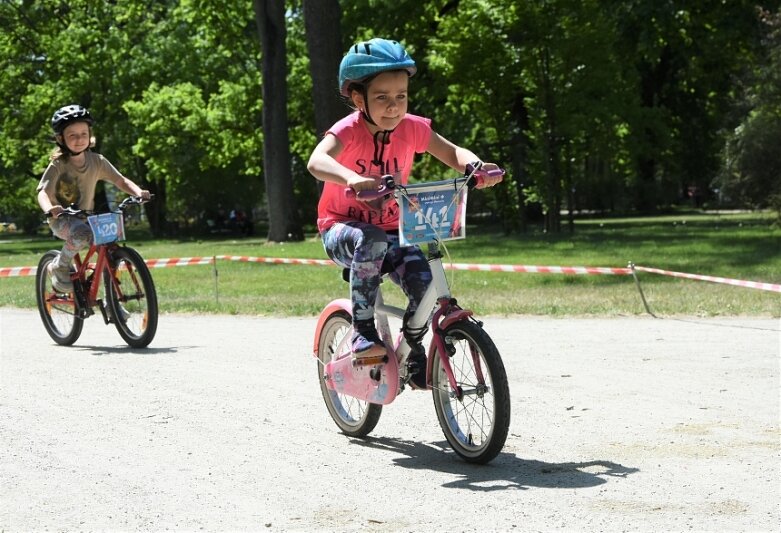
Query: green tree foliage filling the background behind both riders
x=590 y=104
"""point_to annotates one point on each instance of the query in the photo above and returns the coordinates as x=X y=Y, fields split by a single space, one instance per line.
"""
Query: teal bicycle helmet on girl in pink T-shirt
x=366 y=59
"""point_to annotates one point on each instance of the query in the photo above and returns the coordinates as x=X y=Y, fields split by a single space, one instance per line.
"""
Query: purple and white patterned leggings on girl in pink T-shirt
x=362 y=247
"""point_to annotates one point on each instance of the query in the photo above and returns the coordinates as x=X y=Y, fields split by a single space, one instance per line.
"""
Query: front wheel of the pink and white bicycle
x=475 y=416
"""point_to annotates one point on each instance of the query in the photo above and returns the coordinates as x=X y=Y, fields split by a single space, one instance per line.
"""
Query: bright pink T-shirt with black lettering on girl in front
x=369 y=156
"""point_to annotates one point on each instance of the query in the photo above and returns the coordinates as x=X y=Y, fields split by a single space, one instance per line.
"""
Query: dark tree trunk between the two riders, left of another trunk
x=284 y=222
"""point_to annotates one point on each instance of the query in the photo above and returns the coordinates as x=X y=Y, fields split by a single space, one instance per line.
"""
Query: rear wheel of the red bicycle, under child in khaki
x=60 y=317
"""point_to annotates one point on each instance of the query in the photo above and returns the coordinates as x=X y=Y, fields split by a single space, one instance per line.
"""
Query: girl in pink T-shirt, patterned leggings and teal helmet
x=379 y=138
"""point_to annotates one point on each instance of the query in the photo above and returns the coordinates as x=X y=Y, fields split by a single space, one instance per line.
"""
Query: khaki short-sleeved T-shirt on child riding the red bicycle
x=70 y=184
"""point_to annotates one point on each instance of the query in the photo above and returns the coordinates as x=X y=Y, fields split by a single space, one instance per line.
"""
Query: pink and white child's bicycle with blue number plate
x=464 y=370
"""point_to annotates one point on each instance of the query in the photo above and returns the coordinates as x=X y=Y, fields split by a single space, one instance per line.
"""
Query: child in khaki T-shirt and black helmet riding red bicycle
x=70 y=178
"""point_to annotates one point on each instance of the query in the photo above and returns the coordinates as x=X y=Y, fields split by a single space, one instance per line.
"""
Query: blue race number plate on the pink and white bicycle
x=432 y=212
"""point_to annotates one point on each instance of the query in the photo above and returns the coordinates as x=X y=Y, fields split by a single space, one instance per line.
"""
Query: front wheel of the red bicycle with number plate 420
x=132 y=299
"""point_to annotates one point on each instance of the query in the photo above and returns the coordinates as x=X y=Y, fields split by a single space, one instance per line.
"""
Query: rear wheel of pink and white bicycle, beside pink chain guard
x=356 y=418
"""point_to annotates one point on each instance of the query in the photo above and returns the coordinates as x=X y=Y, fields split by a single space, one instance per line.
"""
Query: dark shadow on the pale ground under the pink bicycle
x=505 y=472
